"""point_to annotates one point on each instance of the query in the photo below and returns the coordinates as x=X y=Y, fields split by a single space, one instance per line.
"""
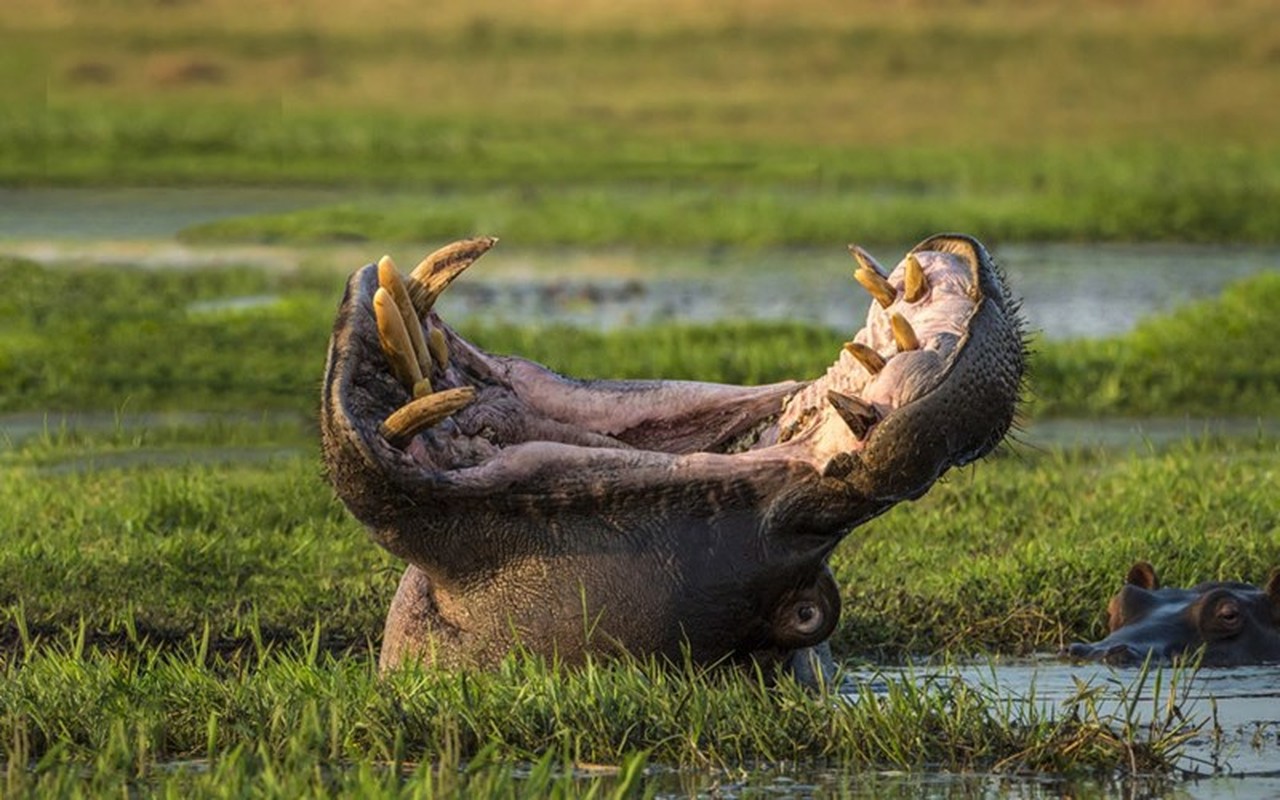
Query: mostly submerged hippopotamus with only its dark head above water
x=1236 y=624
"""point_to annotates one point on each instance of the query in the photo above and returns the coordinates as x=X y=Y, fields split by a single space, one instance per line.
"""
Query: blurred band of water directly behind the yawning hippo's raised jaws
x=1068 y=290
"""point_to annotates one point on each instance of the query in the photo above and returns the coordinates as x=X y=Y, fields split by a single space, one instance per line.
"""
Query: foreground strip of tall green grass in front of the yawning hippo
x=295 y=717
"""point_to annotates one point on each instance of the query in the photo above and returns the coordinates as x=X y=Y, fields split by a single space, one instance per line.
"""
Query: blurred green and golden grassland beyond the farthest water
x=662 y=124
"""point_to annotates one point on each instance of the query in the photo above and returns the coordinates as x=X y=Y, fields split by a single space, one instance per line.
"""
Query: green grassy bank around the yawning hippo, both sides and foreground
x=220 y=614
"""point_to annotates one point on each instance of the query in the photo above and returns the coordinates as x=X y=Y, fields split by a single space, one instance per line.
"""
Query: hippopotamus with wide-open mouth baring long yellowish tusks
x=674 y=520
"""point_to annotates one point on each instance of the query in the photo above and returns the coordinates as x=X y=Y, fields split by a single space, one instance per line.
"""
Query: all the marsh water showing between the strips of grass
x=1071 y=291
